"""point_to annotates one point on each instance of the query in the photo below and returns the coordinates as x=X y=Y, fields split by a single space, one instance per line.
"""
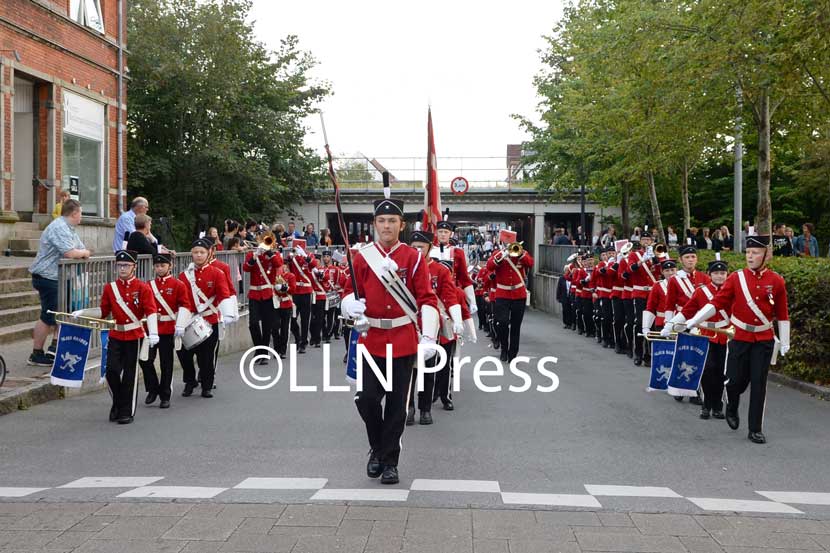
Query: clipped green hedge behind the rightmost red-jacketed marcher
x=807 y=283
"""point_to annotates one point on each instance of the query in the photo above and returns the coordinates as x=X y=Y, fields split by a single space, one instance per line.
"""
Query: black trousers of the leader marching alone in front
x=385 y=425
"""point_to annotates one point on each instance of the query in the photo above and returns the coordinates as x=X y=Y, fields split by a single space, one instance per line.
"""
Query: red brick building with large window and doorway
x=61 y=62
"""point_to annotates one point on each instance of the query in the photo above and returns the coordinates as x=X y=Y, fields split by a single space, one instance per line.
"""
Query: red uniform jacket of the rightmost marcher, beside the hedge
x=768 y=291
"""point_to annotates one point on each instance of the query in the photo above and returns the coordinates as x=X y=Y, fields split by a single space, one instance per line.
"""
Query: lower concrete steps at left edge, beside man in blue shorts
x=19 y=304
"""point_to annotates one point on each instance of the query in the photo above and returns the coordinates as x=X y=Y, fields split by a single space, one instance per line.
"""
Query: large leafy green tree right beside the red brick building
x=214 y=118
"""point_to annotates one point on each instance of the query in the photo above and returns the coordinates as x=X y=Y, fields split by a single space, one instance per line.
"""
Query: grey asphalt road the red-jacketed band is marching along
x=600 y=427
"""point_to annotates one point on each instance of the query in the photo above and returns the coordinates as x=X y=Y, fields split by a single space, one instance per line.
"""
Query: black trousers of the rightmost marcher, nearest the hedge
x=747 y=364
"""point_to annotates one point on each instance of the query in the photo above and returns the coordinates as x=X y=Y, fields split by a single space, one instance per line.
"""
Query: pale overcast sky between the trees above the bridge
x=387 y=61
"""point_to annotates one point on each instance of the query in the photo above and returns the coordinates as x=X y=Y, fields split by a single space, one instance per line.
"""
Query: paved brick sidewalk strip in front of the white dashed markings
x=208 y=527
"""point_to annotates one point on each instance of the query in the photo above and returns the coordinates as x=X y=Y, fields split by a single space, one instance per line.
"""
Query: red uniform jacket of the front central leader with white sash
x=380 y=304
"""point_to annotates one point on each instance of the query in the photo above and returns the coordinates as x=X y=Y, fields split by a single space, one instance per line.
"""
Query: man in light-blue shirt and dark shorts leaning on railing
x=59 y=240
